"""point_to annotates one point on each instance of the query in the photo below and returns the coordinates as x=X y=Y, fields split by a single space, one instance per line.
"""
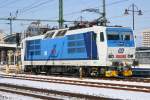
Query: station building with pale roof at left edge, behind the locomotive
x=7 y=45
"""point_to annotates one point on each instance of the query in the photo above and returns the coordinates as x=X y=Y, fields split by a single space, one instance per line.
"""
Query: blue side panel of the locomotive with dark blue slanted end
x=71 y=47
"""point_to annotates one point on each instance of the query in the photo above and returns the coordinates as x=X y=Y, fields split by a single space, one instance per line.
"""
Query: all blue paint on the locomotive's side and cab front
x=72 y=47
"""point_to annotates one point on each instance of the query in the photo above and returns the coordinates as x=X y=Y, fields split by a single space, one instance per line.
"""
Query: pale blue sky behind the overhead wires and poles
x=48 y=9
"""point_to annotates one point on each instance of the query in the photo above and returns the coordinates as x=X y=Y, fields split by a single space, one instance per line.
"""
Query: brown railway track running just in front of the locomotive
x=135 y=88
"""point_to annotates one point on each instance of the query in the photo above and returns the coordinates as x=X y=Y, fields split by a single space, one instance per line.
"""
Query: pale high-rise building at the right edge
x=146 y=38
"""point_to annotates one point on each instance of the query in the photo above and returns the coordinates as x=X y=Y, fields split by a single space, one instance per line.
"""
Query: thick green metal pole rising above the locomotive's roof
x=61 y=20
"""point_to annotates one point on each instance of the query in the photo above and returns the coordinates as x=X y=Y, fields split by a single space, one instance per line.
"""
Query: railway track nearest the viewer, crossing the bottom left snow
x=45 y=94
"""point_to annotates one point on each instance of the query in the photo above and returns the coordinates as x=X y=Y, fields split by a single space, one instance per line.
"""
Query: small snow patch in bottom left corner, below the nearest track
x=10 y=96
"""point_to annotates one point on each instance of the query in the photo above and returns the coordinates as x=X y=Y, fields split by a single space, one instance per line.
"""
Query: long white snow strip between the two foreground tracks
x=102 y=92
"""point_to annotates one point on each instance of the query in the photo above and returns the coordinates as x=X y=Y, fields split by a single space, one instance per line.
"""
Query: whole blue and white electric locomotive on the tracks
x=98 y=50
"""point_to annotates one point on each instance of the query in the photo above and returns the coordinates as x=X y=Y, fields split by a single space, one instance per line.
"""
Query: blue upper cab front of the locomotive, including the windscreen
x=118 y=37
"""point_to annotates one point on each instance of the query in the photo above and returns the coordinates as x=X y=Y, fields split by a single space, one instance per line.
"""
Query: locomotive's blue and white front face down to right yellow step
x=121 y=48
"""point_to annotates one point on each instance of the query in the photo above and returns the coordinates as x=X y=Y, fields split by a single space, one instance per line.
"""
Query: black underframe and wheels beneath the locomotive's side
x=87 y=71
